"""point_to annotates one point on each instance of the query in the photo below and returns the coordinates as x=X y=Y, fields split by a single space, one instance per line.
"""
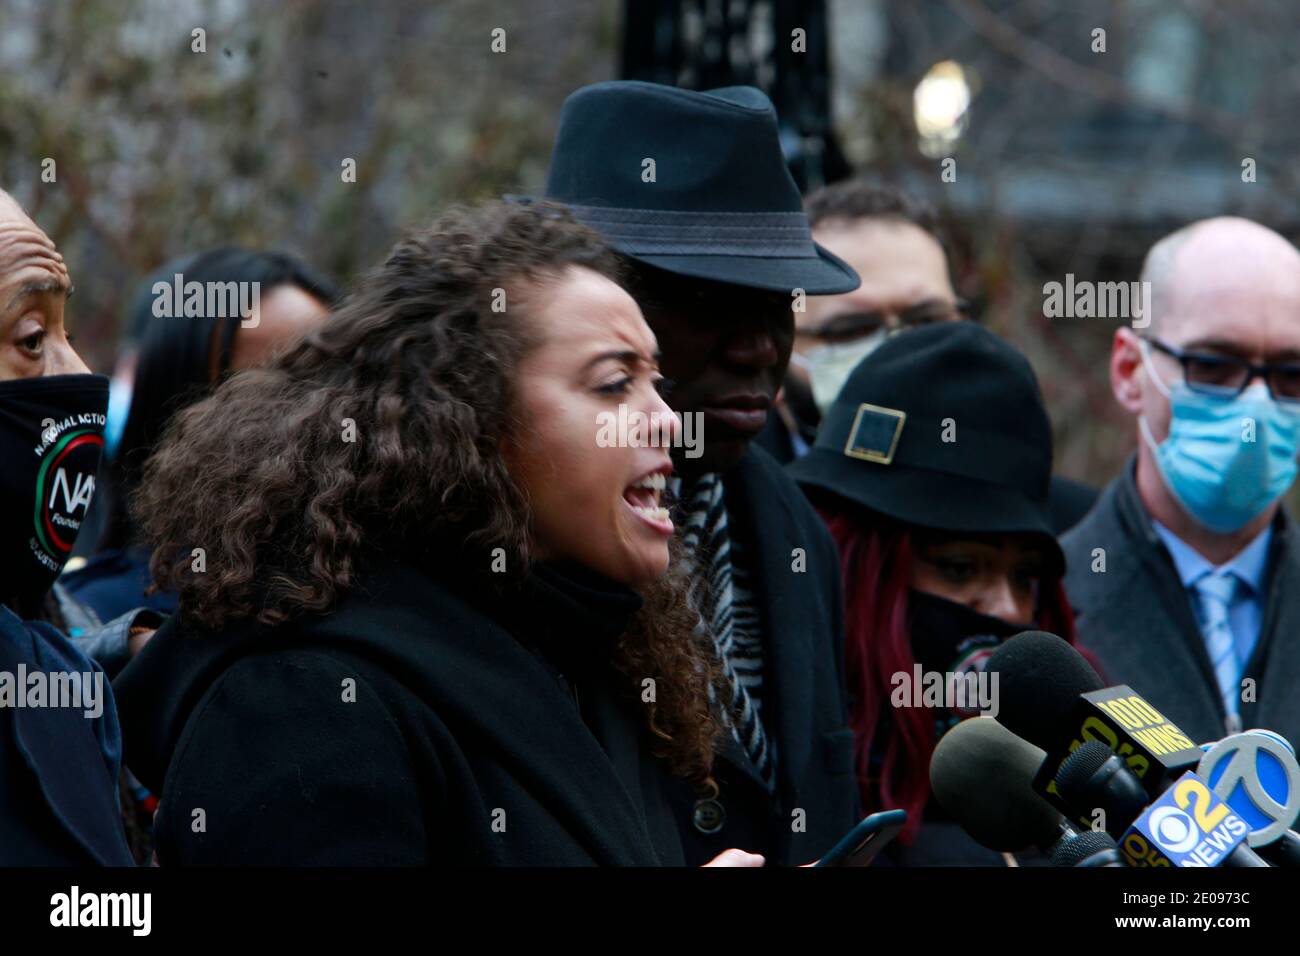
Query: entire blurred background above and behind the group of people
x=1069 y=161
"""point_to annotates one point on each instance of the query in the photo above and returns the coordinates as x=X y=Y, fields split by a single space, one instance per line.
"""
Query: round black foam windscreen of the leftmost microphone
x=981 y=775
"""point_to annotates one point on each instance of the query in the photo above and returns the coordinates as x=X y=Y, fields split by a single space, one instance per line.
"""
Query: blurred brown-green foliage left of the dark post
x=162 y=150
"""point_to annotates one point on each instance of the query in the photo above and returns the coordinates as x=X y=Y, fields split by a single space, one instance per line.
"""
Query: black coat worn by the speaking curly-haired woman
x=415 y=725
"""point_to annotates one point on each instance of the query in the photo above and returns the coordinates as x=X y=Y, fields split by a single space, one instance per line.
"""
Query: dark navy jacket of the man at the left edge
x=59 y=769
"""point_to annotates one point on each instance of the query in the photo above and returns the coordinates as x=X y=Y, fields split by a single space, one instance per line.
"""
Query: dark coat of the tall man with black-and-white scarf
x=805 y=712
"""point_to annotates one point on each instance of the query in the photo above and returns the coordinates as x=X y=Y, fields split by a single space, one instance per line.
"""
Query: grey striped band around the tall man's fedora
x=671 y=232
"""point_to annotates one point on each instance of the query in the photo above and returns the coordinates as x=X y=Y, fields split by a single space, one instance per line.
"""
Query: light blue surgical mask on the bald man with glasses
x=1227 y=460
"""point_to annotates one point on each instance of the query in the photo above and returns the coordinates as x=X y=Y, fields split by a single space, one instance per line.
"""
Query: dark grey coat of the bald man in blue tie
x=1138 y=620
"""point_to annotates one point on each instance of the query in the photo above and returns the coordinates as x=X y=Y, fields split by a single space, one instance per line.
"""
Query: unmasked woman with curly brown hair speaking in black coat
x=426 y=615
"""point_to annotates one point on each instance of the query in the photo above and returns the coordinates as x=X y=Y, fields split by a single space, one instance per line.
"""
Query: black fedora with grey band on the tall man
x=721 y=204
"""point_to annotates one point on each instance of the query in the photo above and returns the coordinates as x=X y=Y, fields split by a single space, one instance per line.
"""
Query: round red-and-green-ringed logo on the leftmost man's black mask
x=68 y=460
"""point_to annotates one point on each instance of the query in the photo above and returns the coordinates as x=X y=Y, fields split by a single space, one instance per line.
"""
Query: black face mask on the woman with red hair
x=950 y=638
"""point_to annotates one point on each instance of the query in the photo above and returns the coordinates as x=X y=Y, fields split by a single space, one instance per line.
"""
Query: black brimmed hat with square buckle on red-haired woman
x=942 y=427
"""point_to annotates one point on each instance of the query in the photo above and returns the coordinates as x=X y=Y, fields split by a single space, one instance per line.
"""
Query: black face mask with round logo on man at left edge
x=51 y=442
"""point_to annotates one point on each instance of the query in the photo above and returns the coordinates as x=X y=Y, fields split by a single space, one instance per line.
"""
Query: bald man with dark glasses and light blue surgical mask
x=1186 y=576
